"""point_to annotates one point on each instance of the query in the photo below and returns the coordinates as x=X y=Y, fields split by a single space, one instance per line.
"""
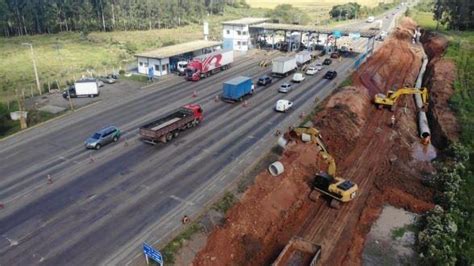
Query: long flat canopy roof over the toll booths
x=311 y=28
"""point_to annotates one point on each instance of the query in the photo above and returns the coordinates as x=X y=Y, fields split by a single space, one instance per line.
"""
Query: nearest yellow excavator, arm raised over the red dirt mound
x=339 y=189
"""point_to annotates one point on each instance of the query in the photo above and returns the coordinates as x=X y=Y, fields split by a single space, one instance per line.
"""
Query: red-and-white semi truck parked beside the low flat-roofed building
x=207 y=64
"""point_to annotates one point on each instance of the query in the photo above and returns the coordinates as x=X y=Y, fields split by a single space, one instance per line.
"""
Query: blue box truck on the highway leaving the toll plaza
x=237 y=88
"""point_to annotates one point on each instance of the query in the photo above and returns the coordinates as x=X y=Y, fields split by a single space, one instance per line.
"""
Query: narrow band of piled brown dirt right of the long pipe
x=439 y=79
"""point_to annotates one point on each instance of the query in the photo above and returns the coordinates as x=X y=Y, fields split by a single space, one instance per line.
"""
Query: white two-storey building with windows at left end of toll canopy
x=236 y=34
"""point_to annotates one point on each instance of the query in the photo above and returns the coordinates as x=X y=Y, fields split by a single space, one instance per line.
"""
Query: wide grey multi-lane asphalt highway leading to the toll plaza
x=102 y=205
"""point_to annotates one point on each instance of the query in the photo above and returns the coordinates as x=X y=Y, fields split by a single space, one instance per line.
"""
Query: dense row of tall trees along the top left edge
x=24 y=17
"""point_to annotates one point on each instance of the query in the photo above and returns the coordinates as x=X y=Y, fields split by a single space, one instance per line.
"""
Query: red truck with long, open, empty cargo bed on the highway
x=169 y=126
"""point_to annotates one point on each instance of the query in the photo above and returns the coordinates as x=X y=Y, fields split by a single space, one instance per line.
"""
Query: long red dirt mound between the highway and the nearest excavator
x=267 y=216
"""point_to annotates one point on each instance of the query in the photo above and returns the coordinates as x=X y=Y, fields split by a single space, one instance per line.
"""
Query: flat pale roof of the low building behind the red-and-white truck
x=173 y=50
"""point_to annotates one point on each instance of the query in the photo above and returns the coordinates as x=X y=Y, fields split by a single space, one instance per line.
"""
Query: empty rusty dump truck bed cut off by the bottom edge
x=299 y=252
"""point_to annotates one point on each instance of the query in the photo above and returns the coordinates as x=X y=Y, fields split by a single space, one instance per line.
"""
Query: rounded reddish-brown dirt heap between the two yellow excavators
x=342 y=119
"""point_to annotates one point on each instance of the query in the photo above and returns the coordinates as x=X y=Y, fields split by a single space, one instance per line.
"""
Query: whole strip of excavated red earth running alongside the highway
x=388 y=163
